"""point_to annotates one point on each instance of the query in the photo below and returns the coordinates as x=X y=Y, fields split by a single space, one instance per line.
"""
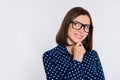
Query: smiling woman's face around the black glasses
x=74 y=35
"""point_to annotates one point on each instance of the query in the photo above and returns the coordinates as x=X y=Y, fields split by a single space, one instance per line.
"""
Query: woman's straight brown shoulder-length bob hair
x=61 y=37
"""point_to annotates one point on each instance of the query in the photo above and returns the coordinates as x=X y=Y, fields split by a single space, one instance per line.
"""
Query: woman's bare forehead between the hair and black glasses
x=83 y=19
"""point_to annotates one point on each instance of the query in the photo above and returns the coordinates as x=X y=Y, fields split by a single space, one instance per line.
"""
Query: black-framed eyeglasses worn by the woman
x=78 y=25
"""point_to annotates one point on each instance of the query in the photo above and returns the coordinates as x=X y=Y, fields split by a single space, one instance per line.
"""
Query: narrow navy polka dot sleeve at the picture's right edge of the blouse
x=99 y=75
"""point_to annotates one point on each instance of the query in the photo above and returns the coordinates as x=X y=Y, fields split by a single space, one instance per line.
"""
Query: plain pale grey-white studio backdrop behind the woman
x=28 y=29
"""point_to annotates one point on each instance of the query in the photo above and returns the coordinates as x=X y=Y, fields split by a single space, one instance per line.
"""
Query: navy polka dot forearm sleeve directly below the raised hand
x=75 y=71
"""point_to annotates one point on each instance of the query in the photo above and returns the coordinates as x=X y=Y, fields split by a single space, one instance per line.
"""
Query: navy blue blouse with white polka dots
x=59 y=65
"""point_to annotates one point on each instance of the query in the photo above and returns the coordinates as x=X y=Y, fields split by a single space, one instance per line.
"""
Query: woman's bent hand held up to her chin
x=78 y=51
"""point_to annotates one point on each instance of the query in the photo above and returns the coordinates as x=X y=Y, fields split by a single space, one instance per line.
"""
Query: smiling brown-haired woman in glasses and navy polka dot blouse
x=73 y=57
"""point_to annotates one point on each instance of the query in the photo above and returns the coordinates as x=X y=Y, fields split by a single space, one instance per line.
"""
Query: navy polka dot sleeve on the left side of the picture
x=52 y=70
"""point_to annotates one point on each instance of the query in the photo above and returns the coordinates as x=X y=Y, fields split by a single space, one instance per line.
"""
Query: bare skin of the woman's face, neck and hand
x=75 y=38
